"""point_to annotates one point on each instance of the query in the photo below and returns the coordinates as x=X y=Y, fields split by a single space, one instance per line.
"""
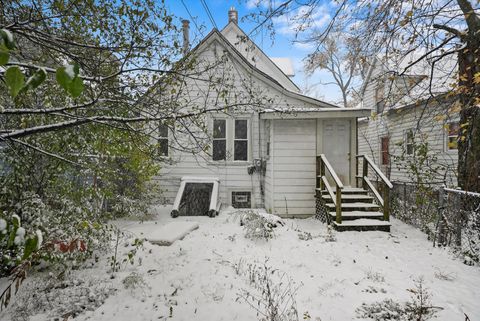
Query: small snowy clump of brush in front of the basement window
x=258 y=226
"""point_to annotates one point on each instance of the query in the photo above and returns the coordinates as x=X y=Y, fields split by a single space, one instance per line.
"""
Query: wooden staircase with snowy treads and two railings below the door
x=354 y=208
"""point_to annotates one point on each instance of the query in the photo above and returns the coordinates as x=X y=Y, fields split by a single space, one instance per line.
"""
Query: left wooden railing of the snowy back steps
x=323 y=165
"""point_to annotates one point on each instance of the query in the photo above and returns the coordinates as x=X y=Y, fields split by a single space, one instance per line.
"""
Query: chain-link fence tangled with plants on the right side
x=450 y=217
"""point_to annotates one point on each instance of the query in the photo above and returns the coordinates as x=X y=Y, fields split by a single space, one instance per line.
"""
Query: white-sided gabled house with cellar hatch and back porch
x=263 y=146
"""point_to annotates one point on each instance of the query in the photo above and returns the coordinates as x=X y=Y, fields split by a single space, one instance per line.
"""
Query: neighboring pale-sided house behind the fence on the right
x=411 y=114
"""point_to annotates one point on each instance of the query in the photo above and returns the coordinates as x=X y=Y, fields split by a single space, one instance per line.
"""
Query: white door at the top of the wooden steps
x=336 y=146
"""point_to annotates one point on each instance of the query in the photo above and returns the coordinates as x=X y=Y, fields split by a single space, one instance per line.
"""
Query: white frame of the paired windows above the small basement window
x=230 y=139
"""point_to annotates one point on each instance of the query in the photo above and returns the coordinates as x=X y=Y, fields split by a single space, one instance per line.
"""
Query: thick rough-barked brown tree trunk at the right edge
x=469 y=135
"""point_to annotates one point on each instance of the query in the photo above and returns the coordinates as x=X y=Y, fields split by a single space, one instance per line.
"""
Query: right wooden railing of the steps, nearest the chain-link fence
x=383 y=200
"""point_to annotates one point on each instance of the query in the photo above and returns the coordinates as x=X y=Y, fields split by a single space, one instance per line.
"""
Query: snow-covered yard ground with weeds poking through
x=207 y=275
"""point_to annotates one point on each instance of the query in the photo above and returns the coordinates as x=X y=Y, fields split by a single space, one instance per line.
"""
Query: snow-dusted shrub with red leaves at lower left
x=56 y=232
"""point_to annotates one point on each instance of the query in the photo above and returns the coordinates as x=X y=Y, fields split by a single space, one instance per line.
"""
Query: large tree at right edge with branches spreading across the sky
x=437 y=29
